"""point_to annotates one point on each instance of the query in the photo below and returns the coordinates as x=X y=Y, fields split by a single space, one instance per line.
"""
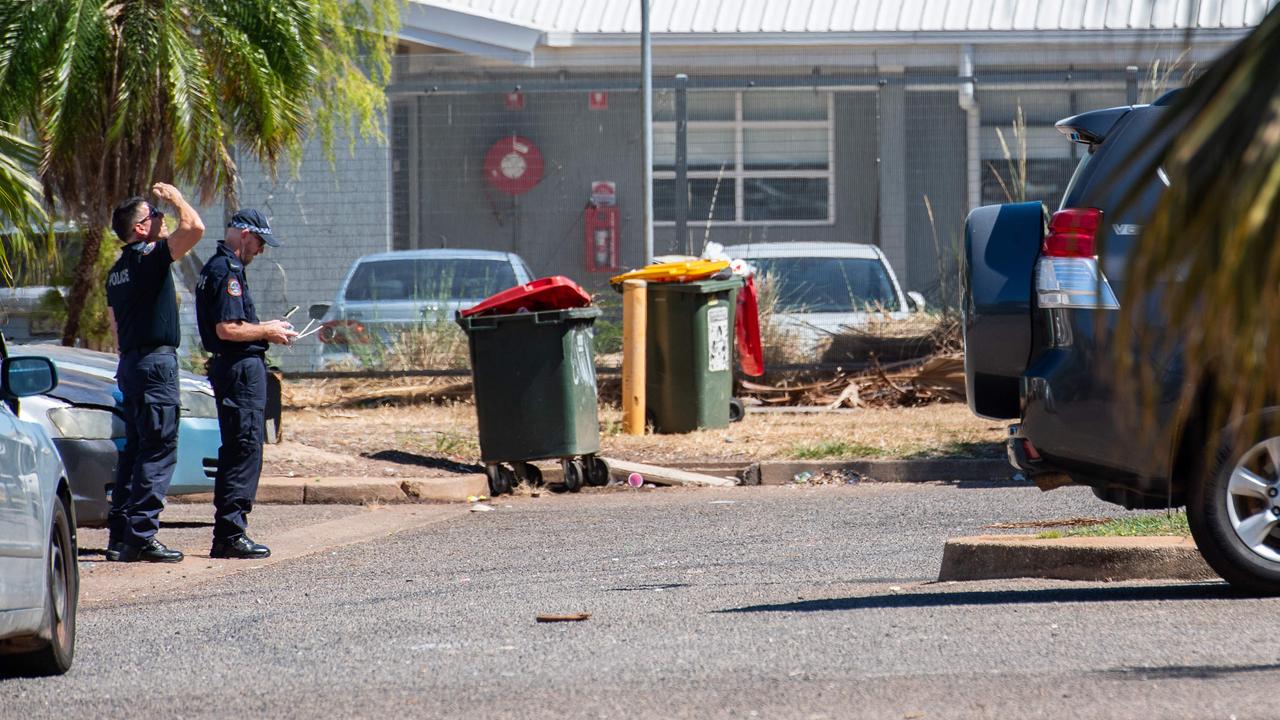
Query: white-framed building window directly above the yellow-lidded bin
x=755 y=158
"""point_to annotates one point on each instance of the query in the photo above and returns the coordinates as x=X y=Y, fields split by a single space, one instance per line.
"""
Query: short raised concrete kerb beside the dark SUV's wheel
x=1104 y=559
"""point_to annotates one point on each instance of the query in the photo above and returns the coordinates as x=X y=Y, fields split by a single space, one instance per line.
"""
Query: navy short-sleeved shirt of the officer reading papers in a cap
x=222 y=297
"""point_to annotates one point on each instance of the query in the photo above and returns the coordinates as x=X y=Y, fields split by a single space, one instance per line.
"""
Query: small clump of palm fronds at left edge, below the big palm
x=21 y=207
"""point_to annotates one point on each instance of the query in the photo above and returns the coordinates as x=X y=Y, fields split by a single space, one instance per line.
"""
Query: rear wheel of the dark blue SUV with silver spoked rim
x=1235 y=513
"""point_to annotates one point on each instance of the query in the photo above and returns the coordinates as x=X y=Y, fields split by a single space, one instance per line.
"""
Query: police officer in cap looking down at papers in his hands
x=231 y=332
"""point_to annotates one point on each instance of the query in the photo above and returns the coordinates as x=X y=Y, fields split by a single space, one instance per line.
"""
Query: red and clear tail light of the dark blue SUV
x=1068 y=275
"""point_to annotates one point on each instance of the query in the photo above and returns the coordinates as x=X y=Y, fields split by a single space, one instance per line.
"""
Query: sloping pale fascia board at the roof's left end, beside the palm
x=472 y=34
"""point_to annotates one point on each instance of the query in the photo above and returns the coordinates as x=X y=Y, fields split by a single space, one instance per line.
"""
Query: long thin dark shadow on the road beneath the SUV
x=1122 y=594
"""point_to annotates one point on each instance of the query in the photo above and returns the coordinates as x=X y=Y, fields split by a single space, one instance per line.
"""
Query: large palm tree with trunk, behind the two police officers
x=124 y=93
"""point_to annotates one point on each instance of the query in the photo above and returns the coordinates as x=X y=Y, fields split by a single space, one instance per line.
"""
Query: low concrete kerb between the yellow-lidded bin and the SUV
x=784 y=473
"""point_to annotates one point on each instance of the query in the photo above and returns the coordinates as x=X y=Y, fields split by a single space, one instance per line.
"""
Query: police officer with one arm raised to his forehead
x=144 y=306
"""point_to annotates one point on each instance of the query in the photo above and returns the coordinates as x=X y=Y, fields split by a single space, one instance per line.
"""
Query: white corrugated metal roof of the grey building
x=606 y=17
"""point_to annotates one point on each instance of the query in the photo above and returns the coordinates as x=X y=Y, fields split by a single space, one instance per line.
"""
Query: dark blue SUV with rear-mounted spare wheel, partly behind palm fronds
x=1043 y=322
